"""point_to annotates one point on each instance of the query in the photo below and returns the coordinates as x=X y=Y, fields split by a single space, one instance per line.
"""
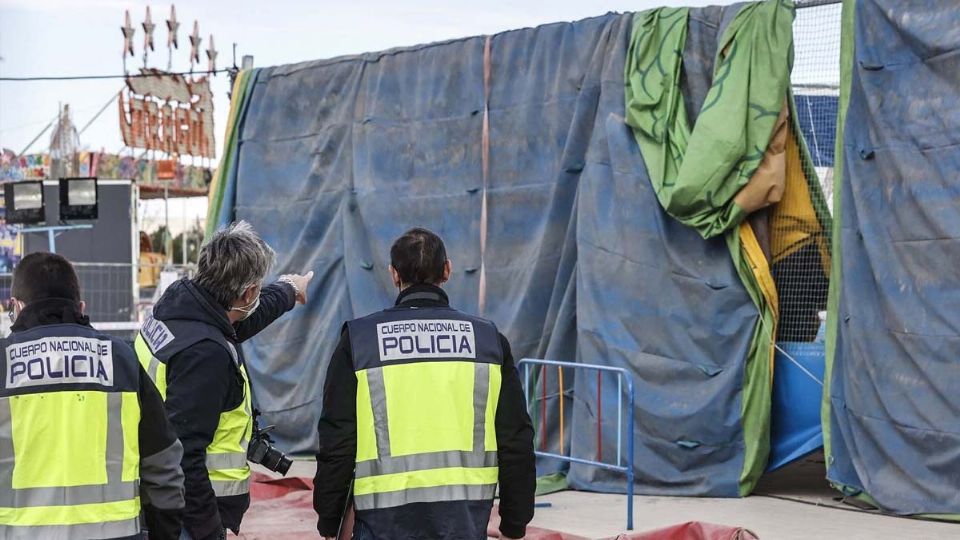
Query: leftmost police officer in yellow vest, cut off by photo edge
x=84 y=441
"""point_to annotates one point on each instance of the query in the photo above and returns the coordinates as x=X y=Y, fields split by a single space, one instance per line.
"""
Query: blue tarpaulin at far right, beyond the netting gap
x=894 y=386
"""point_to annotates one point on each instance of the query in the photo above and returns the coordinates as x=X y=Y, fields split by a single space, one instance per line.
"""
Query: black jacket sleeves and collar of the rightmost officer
x=338 y=438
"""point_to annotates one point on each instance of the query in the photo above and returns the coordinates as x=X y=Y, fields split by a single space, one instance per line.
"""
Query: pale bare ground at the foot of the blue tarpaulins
x=795 y=503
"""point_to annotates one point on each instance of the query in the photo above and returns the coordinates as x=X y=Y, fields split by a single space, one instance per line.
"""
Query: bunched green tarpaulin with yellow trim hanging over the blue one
x=706 y=173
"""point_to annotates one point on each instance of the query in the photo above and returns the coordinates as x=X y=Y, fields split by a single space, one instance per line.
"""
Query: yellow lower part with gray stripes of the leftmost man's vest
x=79 y=478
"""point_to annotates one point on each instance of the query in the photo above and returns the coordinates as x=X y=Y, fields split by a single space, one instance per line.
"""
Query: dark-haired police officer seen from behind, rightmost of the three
x=423 y=410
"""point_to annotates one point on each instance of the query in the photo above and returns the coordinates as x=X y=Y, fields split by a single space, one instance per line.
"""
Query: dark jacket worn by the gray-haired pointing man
x=202 y=382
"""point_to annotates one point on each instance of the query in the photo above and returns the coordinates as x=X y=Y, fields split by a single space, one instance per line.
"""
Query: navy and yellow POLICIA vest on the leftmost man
x=69 y=435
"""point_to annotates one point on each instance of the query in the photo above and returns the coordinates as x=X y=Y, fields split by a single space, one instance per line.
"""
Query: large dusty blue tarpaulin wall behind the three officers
x=336 y=158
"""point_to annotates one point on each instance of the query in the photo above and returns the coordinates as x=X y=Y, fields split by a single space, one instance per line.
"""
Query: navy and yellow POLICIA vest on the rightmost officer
x=428 y=384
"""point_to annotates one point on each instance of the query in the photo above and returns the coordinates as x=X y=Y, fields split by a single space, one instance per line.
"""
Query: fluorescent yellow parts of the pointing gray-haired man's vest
x=227 y=454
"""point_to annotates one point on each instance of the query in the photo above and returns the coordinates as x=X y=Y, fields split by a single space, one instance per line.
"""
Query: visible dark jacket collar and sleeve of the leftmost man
x=161 y=479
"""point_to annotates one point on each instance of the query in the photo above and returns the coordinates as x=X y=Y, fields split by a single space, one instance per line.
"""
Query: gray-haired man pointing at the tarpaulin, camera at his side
x=189 y=347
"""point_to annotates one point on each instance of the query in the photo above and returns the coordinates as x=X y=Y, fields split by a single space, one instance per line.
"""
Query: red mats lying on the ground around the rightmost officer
x=282 y=509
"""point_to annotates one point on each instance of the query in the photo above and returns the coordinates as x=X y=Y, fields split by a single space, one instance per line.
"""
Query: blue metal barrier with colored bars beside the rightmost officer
x=622 y=375
